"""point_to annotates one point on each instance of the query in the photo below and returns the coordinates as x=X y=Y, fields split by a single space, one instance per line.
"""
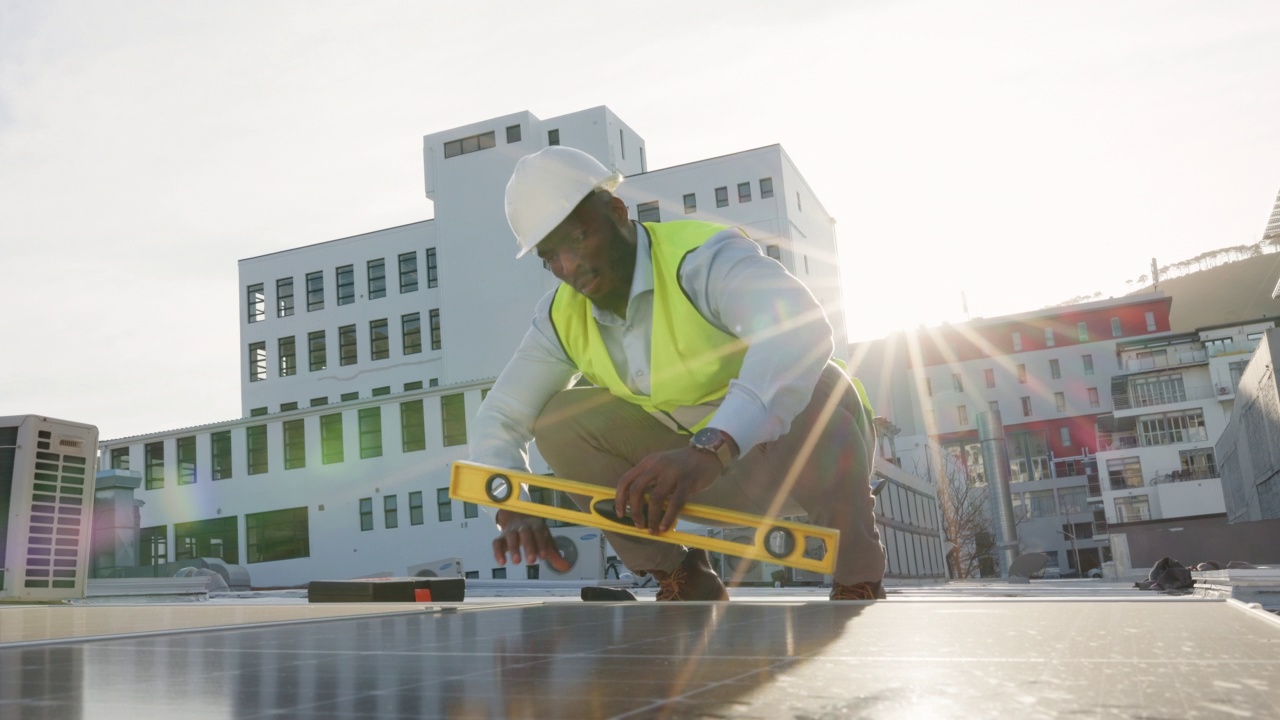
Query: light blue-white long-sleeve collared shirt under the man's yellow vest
x=737 y=289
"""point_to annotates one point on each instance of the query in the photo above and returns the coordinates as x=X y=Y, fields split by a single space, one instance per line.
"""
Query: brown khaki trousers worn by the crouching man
x=822 y=467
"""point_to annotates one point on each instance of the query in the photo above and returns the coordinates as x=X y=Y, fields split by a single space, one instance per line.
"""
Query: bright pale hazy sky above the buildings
x=1016 y=154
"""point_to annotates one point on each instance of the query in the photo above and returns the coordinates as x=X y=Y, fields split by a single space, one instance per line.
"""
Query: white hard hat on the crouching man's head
x=547 y=186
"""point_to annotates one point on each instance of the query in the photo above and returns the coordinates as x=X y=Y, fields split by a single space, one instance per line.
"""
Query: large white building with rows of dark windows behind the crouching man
x=365 y=358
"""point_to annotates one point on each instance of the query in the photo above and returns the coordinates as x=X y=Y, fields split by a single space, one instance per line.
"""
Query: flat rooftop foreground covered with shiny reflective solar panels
x=1054 y=649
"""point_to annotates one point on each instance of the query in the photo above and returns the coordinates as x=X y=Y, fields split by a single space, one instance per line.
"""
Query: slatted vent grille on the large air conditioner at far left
x=58 y=520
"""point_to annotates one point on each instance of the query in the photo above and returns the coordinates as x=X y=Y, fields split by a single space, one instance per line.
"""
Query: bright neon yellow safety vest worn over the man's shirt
x=692 y=362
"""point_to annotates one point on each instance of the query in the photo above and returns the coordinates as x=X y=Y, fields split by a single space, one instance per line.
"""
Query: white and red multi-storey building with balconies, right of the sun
x=1109 y=417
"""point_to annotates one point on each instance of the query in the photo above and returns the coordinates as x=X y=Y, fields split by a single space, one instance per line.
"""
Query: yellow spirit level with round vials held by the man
x=776 y=541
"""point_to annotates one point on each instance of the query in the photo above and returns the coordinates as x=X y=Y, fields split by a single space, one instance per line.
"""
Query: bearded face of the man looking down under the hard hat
x=592 y=254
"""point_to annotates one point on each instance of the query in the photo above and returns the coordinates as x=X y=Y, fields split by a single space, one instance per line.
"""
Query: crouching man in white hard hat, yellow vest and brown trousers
x=714 y=384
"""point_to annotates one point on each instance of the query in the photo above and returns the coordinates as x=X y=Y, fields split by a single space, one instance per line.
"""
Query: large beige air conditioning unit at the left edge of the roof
x=47 y=508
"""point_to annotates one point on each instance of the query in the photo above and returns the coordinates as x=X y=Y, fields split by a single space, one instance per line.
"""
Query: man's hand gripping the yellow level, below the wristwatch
x=670 y=480
